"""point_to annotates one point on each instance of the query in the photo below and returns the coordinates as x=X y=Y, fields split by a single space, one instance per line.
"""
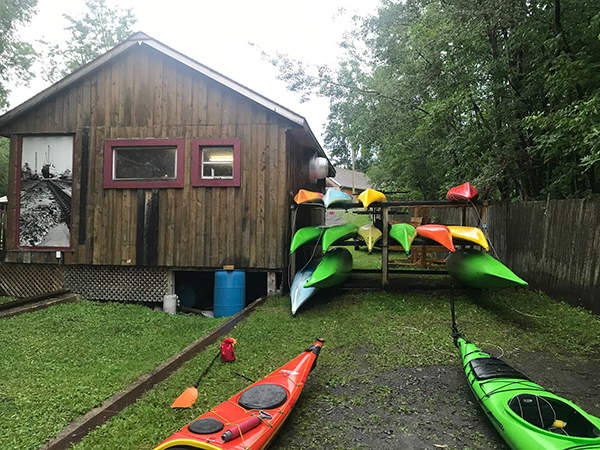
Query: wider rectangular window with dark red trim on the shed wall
x=143 y=163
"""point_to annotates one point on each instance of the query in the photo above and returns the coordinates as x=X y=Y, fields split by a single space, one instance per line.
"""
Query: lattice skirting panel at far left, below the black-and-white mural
x=30 y=280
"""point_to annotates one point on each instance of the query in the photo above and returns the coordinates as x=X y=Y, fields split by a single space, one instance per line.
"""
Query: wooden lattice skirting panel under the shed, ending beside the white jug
x=129 y=284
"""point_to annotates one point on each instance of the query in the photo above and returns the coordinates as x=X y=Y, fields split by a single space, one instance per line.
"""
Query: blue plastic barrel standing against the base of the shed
x=230 y=292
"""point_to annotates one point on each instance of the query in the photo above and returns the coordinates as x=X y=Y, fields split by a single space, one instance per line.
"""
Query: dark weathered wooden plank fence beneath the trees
x=554 y=245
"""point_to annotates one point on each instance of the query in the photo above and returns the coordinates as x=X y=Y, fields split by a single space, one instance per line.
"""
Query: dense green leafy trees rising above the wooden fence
x=497 y=92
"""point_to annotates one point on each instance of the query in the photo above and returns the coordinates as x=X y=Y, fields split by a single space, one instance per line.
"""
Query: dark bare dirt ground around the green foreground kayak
x=426 y=408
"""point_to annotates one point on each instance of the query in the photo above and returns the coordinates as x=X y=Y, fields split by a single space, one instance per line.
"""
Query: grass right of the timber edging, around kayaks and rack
x=367 y=334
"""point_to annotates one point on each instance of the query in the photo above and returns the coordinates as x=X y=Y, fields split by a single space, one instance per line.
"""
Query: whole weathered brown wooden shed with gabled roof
x=144 y=166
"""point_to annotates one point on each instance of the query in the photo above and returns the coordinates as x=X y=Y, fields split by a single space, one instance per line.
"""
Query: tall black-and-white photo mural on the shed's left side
x=45 y=207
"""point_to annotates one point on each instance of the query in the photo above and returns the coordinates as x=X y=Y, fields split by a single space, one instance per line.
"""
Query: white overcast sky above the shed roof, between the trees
x=217 y=34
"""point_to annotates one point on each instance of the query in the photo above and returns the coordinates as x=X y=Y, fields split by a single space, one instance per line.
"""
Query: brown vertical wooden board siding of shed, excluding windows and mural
x=144 y=94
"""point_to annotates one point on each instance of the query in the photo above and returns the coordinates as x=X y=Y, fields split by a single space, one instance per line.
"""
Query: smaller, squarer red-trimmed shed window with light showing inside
x=216 y=162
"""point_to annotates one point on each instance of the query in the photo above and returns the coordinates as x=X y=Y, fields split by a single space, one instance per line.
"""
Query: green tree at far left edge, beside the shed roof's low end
x=16 y=57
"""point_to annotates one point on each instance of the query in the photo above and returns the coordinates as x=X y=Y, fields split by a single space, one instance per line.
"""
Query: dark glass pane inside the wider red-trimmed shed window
x=145 y=163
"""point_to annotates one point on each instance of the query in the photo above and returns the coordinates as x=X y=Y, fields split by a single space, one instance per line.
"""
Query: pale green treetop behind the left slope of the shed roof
x=95 y=32
